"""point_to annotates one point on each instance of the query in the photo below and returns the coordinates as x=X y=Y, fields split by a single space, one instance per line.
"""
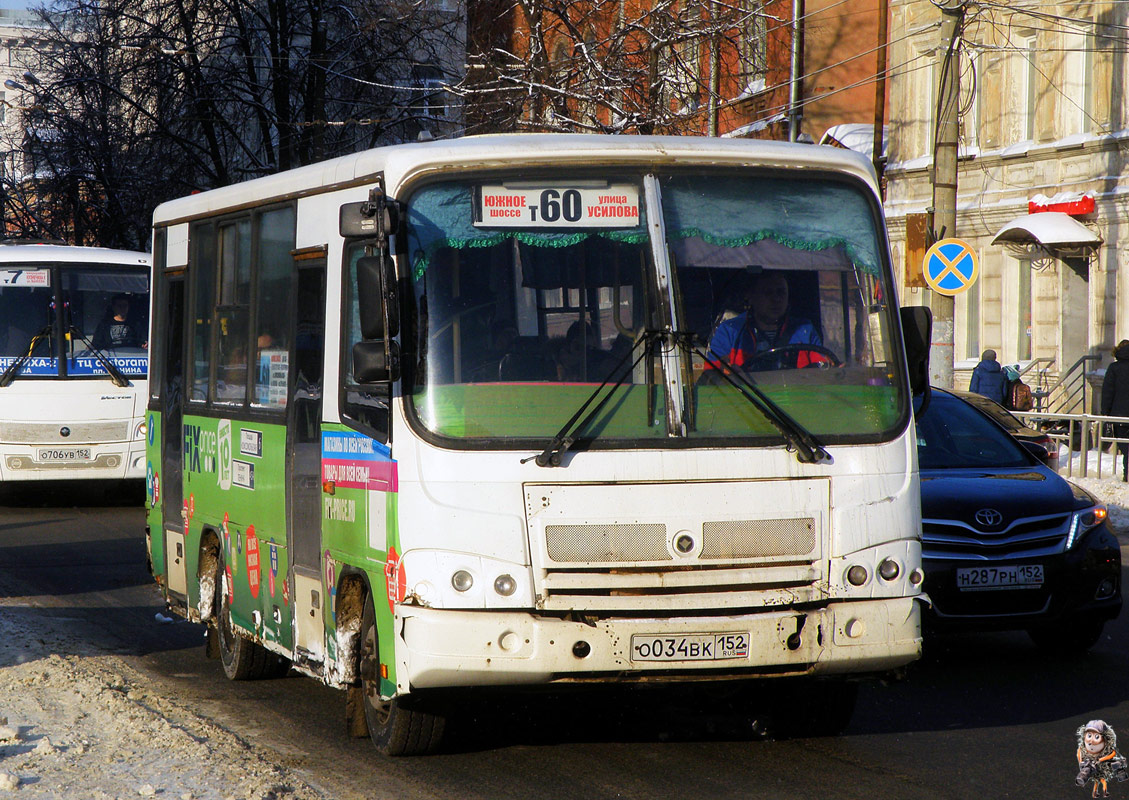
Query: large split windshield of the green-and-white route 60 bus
x=531 y=295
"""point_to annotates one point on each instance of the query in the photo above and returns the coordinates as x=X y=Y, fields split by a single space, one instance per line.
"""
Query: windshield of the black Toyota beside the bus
x=952 y=435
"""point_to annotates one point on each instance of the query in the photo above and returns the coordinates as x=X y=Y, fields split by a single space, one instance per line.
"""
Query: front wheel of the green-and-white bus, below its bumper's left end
x=399 y=727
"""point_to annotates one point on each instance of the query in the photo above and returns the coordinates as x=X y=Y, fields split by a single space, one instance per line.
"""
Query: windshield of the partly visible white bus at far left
x=67 y=321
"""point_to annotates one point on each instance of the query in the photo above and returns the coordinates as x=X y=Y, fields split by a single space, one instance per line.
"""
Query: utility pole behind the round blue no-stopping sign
x=944 y=188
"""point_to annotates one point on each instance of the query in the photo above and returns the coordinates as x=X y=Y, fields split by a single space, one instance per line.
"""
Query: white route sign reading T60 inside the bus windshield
x=566 y=206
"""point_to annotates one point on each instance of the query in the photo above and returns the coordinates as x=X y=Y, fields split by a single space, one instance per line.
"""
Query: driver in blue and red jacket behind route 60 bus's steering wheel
x=766 y=326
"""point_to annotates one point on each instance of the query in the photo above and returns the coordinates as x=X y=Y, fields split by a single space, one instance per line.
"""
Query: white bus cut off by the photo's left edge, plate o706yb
x=74 y=363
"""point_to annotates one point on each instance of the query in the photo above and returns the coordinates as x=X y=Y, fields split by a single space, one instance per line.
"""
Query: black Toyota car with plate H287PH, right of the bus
x=1008 y=543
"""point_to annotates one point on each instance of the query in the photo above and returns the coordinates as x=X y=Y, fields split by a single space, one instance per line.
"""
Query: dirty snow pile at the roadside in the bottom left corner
x=86 y=727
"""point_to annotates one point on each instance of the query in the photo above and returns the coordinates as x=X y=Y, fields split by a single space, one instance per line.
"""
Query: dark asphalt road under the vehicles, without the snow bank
x=979 y=717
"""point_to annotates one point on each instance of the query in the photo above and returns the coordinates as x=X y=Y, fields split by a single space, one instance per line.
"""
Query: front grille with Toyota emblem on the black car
x=1026 y=538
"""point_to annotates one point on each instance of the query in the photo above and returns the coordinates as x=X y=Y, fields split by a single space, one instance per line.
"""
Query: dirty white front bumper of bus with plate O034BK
x=452 y=648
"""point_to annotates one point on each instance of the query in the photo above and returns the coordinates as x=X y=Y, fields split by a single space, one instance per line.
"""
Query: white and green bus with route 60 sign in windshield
x=451 y=416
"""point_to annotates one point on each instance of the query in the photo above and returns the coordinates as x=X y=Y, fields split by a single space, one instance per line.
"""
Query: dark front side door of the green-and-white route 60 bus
x=304 y=455
